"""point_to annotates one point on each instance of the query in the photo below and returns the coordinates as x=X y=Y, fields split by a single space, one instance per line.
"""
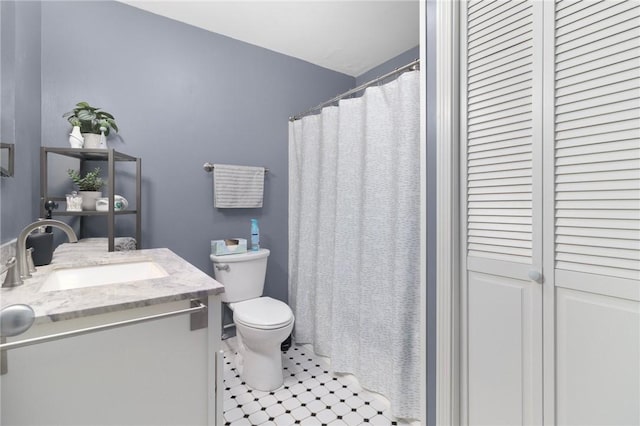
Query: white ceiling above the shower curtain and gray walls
x=348 y=36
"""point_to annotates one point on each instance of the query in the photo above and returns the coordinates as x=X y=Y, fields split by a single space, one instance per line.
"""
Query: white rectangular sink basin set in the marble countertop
x=91 y=276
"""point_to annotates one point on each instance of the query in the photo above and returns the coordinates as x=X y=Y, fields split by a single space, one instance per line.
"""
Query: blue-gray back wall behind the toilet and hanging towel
x=182 y=96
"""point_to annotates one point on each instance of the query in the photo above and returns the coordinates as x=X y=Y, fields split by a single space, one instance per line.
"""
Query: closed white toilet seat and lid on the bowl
x=263 y=313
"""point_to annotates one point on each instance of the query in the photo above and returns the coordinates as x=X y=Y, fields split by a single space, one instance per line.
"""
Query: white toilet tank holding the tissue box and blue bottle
x=241 y=274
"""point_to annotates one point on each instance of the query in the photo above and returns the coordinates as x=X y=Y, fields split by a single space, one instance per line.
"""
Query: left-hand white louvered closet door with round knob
x=501 y=148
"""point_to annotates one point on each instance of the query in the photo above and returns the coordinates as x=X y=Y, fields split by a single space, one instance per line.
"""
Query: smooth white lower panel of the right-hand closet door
x=598 y=348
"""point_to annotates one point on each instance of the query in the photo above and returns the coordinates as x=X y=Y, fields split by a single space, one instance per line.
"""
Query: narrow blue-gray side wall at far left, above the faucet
x=20 y=112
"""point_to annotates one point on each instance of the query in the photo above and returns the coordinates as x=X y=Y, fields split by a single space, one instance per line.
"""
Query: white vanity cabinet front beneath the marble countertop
x=157 y=372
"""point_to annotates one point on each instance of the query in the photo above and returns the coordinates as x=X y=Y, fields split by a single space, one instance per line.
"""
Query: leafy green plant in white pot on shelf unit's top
x=93 y=123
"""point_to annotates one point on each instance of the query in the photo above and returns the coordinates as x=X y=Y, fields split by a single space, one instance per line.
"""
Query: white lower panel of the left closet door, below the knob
x=501 y=343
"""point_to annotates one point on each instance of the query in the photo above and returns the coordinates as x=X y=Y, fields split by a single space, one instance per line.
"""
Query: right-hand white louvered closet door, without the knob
x=596 y=211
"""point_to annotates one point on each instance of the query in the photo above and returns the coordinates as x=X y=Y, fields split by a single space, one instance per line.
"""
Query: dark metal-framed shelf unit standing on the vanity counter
x=110 y=156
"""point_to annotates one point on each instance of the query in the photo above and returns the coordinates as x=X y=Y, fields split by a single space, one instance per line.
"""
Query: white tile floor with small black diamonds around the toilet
x=311 y=395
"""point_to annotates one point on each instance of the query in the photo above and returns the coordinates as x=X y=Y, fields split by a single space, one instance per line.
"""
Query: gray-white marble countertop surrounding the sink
x=184 y=281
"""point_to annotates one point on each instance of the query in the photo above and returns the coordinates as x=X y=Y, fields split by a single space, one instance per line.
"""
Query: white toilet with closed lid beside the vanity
x=262 y=323
